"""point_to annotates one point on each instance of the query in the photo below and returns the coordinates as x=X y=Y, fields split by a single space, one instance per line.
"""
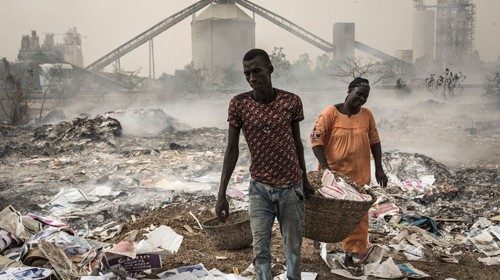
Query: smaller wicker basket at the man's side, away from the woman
x=234 y=234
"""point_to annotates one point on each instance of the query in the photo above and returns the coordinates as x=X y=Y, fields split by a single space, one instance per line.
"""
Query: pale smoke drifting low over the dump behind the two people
x=459 y=131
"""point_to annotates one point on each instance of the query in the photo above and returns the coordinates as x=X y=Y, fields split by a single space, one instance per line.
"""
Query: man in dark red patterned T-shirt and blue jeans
x=270 y=120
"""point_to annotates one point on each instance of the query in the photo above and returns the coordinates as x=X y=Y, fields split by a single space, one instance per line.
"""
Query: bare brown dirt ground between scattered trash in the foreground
x=198 y=248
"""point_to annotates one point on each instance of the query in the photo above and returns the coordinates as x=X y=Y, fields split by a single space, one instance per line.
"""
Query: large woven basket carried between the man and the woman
x=332 y=220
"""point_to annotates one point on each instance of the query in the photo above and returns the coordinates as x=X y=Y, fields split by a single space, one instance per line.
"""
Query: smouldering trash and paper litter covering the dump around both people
x=81 y=206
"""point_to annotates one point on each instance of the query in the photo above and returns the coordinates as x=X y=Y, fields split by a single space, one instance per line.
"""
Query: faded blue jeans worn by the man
x=265 y=204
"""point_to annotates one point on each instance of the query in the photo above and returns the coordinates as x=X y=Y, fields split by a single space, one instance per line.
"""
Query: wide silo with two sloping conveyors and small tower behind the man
x=223 y=32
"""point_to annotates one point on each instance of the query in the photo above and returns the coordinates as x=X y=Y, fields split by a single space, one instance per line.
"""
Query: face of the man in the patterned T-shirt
x=258 y=73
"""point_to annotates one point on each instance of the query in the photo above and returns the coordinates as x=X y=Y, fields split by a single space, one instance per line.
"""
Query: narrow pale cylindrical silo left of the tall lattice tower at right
x=423 y=34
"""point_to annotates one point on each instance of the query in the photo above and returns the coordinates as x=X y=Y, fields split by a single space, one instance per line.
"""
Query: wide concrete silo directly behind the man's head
x=221 y=35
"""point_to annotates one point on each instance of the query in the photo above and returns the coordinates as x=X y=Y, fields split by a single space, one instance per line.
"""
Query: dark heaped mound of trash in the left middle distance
x=97 y=129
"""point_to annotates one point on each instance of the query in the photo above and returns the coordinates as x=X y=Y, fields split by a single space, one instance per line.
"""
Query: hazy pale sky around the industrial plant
x=106 y=24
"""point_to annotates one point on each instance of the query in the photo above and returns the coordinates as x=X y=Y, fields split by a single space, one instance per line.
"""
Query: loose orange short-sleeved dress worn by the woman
x=347 y=142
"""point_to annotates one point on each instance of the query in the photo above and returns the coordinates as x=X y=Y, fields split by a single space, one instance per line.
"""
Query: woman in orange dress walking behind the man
x=342 y=138
